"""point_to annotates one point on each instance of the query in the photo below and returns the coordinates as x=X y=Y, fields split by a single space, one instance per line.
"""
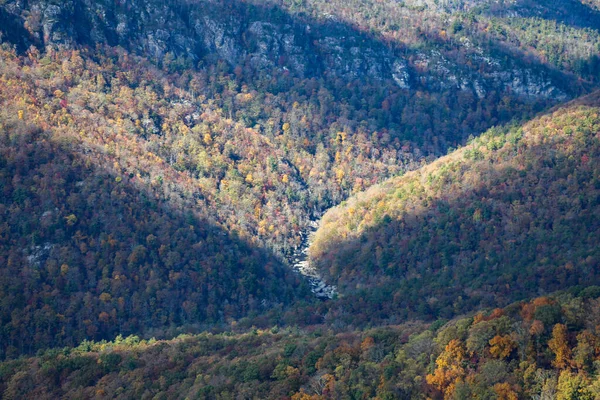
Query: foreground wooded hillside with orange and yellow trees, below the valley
x=545 y=348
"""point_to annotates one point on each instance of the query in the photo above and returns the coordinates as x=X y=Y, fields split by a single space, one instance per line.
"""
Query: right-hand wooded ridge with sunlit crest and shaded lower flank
x=512 y=215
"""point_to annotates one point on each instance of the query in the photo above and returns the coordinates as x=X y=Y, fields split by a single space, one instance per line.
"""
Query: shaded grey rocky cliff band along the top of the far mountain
x=266 y=37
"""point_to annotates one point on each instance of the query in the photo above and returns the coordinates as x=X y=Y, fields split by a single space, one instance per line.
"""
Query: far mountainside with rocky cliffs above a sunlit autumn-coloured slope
x=334 y=97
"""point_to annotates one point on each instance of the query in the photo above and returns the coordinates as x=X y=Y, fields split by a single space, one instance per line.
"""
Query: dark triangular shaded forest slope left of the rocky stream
x=87 y=253
